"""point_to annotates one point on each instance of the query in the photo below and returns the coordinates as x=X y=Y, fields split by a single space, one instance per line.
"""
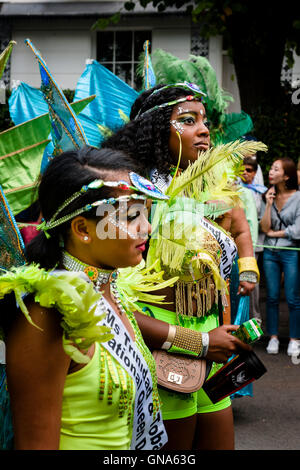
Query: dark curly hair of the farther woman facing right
x=146 y=137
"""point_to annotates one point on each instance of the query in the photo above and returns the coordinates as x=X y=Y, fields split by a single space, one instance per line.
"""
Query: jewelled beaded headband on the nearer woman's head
x=143 y=189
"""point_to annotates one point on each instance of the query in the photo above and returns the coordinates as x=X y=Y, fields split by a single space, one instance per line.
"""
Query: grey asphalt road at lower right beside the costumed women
x=270 y=420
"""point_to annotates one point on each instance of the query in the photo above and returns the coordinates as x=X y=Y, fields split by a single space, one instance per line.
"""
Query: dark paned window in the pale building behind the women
x=120 y=51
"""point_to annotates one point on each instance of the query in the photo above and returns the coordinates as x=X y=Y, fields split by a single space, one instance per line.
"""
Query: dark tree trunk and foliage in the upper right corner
x=257 y=34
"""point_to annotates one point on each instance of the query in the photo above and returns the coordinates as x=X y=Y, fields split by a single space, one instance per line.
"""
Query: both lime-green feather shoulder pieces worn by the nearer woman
x=76 y=299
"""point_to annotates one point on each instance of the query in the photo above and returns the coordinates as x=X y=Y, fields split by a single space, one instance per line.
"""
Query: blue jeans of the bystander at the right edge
x=275 y=262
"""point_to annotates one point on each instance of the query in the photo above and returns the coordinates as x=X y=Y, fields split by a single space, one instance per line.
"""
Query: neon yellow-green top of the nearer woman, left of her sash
x=87 y=422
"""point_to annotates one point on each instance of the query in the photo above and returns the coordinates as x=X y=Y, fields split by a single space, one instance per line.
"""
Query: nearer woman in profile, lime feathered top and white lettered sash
x=77 y=317
